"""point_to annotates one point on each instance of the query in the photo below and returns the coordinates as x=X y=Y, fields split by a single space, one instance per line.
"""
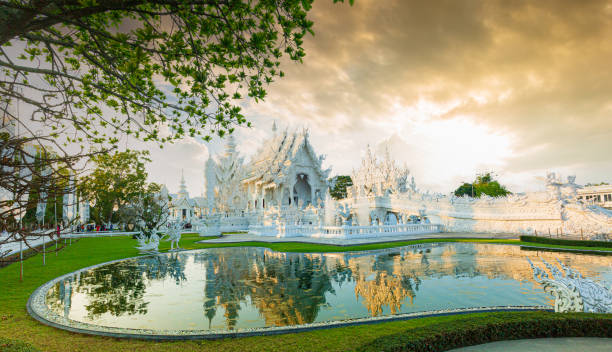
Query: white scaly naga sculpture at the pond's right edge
x=572 y=291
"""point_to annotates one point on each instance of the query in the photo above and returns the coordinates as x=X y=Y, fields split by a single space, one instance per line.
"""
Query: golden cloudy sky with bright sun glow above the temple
x=452 y=88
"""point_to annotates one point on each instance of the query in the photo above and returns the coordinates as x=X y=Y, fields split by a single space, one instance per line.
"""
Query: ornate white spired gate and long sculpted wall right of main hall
x=381 y=195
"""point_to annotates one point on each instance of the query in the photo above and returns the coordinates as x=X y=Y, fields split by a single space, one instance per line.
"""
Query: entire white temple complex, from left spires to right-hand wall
x=283 y=191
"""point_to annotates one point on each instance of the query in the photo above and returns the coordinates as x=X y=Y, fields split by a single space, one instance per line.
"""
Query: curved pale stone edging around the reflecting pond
x=38 y=309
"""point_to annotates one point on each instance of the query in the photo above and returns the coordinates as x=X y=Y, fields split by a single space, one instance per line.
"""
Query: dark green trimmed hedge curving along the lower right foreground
x=499 y=327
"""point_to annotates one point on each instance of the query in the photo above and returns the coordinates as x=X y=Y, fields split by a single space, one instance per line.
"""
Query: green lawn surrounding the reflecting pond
x=15 y=323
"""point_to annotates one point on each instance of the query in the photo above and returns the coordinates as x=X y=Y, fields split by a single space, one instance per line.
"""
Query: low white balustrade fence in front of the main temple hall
x=345 y=232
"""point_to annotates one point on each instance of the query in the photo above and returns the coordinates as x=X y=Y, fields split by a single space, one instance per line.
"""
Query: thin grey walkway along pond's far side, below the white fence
x=234 y=238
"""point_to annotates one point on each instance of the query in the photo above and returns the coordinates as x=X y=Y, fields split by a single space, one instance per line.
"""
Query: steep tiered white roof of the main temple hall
x=273 y=161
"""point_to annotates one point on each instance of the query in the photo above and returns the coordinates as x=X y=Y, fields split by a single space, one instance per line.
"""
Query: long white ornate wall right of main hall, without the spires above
x=516 y=214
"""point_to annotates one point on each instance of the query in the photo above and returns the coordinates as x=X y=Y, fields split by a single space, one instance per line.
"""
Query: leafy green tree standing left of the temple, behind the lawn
x=117 y=179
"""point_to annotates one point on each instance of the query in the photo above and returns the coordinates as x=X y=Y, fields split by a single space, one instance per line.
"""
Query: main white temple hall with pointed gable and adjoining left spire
x=285 y=175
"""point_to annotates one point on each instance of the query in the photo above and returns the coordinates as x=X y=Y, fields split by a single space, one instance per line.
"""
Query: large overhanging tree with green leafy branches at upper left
x=86 y=74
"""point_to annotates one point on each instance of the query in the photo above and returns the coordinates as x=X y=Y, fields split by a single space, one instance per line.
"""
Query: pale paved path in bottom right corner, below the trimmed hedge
x=562 y=344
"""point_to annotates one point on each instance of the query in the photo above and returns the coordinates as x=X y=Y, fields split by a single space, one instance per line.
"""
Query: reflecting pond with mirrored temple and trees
x=236 y=288
